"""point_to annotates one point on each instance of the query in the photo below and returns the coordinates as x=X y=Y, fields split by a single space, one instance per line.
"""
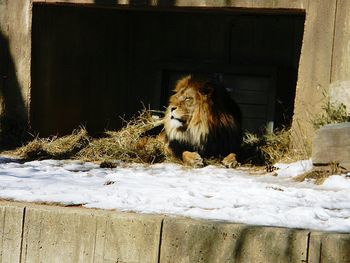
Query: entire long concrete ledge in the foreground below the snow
x=42 y=233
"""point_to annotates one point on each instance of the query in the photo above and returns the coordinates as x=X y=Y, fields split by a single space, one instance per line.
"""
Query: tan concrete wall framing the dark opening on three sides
x=324 y=58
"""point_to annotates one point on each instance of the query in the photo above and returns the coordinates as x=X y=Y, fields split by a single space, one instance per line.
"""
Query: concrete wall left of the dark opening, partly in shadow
x=15 y=58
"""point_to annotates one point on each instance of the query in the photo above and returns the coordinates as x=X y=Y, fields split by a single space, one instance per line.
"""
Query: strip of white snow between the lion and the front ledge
x=234 y=195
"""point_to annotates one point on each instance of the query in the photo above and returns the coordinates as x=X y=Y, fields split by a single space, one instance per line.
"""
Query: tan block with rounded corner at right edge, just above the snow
x=331 y=144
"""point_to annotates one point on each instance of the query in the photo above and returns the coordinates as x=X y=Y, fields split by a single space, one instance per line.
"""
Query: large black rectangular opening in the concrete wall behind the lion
x=92 y=65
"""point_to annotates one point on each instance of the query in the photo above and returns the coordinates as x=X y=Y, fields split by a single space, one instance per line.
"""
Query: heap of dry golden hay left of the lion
x=130 y=144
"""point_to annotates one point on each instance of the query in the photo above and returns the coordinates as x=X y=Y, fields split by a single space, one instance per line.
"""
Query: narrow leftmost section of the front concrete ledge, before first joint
x=11 y=221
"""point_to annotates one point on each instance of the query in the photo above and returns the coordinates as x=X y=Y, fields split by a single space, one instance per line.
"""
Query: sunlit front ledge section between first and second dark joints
x=56 y=234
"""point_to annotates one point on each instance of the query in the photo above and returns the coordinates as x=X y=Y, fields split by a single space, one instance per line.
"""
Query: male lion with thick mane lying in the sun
x=202 y=121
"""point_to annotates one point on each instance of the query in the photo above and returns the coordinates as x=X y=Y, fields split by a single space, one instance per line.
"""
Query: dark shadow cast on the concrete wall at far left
x=13 y=122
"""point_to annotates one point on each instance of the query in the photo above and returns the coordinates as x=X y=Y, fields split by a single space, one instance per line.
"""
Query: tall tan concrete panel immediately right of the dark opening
x=314 y=68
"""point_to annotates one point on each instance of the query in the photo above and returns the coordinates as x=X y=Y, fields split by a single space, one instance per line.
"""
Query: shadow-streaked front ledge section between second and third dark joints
x=187 y=241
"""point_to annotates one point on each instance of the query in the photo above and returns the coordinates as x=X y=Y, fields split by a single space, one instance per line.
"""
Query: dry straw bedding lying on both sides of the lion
x=135 y=143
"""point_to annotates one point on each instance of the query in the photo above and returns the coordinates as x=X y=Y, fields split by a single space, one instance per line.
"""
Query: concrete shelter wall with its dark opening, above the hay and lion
x=87 y=62
